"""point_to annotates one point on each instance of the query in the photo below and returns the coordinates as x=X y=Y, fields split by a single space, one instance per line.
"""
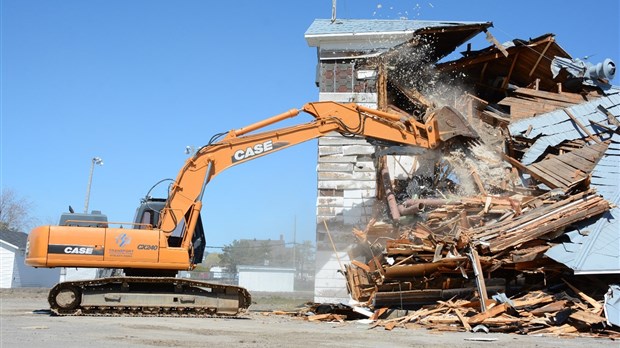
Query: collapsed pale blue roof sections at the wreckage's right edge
x=594 y=245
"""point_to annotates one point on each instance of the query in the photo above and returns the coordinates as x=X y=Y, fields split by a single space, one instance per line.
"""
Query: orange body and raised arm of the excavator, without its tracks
x=147 y=247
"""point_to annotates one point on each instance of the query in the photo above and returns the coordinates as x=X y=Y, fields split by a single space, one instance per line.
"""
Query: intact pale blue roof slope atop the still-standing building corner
x=368 y=26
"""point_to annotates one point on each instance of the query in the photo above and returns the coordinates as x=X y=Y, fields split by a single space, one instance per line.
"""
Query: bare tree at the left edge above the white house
x=15 y=211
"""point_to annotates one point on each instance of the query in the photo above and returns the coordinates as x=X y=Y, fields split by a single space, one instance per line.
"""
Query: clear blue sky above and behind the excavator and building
x=135 y=82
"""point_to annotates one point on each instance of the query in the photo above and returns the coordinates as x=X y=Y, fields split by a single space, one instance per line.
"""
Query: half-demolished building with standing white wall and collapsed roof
x=531 y=201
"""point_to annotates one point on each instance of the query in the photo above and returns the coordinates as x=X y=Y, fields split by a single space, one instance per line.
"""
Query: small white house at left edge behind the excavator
x=13 y=271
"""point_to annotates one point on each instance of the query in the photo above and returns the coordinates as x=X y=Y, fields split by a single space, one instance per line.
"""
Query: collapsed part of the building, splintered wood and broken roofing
x=466 y=243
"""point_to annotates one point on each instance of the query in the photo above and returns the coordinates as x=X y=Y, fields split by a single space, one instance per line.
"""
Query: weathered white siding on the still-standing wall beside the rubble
x=344 y=165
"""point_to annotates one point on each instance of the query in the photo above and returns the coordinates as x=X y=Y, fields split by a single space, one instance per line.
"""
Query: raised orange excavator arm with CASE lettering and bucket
x=239 y=146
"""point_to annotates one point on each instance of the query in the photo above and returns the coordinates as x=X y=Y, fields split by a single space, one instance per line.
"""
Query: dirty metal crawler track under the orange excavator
x=148 y=296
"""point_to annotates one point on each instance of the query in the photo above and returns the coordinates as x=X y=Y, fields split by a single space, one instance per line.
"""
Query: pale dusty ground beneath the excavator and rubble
x=25 y=321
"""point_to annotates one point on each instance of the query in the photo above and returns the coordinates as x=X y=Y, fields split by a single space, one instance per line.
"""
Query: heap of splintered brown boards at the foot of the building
x=428 y=268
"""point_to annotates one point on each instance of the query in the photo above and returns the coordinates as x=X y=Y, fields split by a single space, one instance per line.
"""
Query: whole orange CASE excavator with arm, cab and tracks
x=167 y=234
